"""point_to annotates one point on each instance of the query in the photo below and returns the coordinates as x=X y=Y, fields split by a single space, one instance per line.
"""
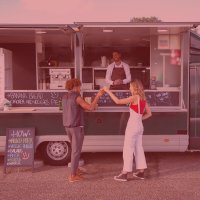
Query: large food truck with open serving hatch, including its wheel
x=36 y=61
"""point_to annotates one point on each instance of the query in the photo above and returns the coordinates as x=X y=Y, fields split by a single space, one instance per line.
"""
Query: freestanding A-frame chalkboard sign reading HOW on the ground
x=19 y=151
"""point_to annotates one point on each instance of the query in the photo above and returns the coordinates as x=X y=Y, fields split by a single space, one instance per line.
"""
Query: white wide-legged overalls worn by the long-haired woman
x=133 y=141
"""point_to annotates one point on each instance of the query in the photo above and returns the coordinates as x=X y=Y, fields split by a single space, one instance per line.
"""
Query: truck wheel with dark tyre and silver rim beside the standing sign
x=56 y=152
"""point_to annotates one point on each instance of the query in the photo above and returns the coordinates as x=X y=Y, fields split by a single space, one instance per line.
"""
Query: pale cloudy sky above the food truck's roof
x=70 y=11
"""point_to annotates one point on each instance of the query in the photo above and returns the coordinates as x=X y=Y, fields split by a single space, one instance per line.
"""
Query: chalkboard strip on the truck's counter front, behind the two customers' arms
x=152 y=98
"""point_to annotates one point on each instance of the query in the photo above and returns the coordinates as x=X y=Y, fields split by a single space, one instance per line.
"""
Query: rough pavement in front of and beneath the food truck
x=169 y=176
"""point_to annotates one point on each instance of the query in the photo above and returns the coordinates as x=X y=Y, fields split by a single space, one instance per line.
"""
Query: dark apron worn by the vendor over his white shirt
x=118 y=73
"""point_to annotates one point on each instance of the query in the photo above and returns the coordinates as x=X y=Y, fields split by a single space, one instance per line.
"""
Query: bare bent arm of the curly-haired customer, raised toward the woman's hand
x=86 y=106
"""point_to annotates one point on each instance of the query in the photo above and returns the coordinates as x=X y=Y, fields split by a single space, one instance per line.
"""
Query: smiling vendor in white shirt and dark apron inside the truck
x=118 y=73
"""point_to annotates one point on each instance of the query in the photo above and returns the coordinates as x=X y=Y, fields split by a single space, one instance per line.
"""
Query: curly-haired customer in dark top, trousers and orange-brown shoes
x=73 y=121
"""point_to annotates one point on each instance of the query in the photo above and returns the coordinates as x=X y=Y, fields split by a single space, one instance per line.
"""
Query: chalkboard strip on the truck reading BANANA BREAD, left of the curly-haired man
x=34 y=99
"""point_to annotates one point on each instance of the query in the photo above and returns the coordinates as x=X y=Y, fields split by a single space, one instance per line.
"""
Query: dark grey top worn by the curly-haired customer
x=72 y=113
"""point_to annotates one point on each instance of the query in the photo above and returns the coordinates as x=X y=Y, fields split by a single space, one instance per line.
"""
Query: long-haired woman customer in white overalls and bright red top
x=134 y=130
